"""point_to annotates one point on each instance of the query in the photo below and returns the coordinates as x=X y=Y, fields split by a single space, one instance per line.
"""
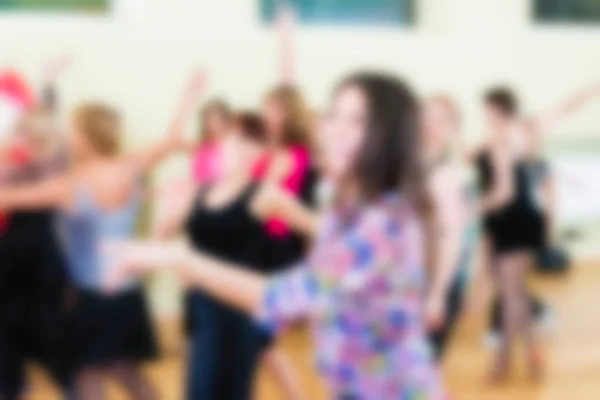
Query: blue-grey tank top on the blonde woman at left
x=85 y=229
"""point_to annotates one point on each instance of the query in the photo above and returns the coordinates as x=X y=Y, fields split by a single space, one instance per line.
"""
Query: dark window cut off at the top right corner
x=567 y=10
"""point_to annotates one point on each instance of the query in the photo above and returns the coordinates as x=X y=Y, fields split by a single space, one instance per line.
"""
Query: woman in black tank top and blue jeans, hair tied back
x=221 y=220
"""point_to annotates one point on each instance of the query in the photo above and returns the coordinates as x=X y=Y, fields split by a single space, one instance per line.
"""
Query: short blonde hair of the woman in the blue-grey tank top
x=101 y=126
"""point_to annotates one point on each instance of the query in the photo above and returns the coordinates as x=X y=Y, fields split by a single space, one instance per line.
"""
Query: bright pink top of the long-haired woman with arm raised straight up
x=292 y=183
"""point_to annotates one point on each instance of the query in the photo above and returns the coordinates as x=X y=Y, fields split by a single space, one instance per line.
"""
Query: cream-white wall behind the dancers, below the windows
x=139 y=57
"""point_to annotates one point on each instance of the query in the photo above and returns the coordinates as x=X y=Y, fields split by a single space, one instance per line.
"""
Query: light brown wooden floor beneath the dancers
x=573 y=353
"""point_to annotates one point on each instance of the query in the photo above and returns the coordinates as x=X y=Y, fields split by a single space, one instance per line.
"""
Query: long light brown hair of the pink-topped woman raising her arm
x=298 y=122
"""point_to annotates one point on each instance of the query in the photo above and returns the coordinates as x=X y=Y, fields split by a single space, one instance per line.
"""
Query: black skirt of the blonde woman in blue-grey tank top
x=107 y=329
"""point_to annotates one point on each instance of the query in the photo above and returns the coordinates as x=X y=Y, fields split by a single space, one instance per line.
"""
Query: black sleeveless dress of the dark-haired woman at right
x=518 y=225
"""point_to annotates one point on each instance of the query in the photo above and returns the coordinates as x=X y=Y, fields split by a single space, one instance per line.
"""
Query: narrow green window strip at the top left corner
x=79 y=6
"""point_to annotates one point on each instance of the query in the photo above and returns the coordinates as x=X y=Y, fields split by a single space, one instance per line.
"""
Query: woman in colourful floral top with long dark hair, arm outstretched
x=362 y=287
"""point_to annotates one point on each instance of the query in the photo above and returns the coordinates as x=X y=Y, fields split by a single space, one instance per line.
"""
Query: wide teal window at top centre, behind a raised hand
x=346 y=12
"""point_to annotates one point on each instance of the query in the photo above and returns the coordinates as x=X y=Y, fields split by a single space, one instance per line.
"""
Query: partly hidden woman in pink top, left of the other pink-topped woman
x=216 y=122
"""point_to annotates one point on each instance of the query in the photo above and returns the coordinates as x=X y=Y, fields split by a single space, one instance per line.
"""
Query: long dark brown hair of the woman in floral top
x=390 y=157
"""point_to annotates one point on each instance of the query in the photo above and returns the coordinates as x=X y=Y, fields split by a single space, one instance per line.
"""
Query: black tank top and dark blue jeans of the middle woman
x=225 y=343
